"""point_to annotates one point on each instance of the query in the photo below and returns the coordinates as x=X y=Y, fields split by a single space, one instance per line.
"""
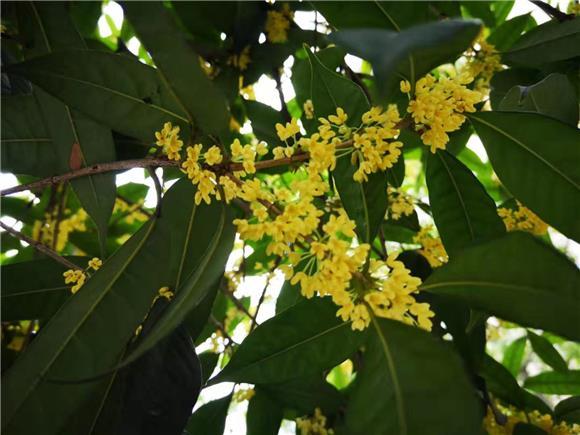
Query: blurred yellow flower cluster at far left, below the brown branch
x=45 y=231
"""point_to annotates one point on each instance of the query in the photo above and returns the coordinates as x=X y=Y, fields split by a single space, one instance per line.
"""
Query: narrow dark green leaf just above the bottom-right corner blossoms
x=500 y=382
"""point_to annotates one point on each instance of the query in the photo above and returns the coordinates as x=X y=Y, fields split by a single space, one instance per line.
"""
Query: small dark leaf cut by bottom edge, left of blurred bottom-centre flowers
x=264 y=414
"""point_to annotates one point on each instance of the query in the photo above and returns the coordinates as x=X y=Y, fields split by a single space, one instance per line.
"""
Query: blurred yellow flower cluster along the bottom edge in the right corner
x=515 y=416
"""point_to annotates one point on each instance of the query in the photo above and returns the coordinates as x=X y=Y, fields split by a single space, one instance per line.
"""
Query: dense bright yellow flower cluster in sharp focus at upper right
x=438 y=107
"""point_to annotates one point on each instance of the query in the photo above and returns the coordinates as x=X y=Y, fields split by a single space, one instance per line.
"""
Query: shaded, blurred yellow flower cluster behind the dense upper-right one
x=483 y=61
